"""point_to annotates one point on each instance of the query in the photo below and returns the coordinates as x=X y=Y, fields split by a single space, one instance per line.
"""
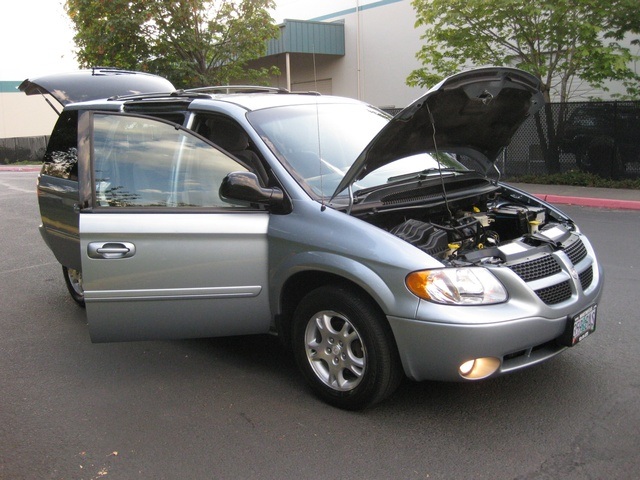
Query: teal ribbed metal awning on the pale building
x=298 y=36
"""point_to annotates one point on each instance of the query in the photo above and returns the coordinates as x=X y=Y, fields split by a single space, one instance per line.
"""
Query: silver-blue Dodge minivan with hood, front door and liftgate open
x=375 y=247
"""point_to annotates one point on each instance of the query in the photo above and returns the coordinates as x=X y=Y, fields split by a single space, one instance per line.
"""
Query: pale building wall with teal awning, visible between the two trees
x=355 y=48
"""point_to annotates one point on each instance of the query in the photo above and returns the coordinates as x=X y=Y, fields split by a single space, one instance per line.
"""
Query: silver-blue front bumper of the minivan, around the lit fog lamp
x=519 y=333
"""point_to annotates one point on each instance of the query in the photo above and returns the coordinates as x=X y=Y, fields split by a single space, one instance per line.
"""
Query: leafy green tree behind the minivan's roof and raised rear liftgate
x=190 y=42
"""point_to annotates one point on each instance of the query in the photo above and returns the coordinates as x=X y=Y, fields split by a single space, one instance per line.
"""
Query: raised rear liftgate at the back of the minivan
x=85 y=85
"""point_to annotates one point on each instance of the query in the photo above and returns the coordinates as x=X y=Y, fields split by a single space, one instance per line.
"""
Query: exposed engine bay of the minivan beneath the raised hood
x=494 y=228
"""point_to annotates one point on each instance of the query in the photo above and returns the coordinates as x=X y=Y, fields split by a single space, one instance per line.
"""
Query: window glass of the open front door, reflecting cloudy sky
x=143 y=162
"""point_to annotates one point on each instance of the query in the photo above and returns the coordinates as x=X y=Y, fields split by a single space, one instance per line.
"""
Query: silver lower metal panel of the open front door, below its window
x=193 y=275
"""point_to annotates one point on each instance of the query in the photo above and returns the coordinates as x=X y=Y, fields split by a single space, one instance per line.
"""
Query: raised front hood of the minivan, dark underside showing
x=474 y=112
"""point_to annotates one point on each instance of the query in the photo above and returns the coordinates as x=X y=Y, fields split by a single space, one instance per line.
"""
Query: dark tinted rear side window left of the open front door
x=61 y=157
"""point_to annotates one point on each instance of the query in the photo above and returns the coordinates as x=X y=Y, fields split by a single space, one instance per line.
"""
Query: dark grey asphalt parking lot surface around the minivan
x=237 y=408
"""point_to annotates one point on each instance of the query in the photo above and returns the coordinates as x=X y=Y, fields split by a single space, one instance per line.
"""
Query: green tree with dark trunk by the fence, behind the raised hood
x=567 y=44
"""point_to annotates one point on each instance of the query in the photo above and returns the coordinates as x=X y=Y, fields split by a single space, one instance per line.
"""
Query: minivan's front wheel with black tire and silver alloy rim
x=344 y=348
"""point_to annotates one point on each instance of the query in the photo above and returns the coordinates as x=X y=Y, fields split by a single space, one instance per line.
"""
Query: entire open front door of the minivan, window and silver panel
x=162 y=255
